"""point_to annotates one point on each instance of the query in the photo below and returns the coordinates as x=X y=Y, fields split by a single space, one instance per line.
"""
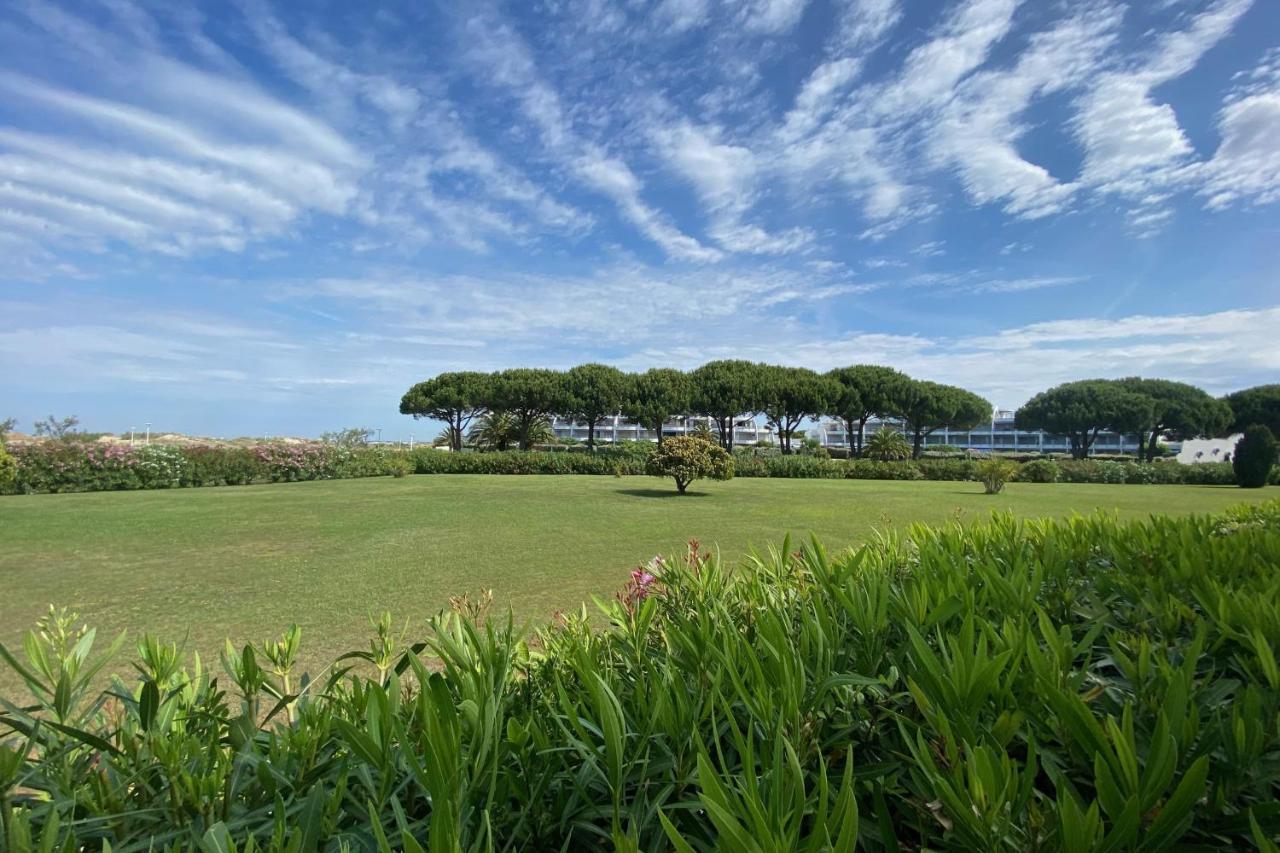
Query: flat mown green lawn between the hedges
x=245 y=563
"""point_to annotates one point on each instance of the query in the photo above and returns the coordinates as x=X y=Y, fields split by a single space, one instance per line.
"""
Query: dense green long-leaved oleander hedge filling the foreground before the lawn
x=1018 y=686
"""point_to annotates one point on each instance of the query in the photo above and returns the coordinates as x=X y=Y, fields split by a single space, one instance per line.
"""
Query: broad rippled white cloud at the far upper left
x=167 y=177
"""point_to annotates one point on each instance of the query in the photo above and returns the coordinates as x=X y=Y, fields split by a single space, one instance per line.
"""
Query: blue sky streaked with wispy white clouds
x=272 y=218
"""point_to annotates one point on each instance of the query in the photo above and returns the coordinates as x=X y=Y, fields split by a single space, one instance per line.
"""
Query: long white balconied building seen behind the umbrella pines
x=999 y=435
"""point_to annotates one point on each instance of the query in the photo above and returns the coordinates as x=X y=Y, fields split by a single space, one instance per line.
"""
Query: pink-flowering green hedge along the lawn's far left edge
x=80 y=467
